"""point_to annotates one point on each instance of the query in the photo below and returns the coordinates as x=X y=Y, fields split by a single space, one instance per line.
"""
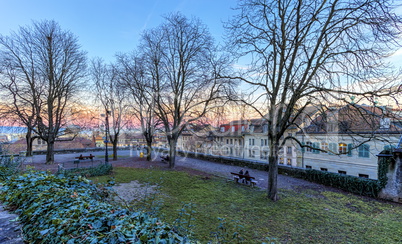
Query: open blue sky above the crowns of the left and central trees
x=107 y=27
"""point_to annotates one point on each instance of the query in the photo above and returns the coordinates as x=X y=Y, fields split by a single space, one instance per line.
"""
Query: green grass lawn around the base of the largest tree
x=304 y=216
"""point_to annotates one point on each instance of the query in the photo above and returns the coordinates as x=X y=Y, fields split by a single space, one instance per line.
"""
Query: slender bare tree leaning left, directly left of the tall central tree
x=133 y=77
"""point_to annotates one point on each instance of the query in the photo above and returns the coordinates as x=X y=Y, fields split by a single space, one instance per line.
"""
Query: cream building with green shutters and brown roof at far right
x=349 y=137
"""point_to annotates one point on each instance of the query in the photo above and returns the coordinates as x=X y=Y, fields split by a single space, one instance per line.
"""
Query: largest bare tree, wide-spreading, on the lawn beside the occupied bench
x=304 y=52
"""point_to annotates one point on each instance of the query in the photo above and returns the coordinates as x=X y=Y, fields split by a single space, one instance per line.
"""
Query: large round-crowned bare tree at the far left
x=44 y=67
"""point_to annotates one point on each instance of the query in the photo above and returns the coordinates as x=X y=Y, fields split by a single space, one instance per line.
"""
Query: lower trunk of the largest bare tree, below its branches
x=273 y=172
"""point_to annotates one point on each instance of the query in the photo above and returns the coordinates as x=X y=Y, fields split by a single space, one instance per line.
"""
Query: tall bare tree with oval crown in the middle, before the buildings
x=182 y=62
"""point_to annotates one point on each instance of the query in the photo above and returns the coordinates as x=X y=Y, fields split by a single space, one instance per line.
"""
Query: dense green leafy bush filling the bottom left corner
x=56 y=209
